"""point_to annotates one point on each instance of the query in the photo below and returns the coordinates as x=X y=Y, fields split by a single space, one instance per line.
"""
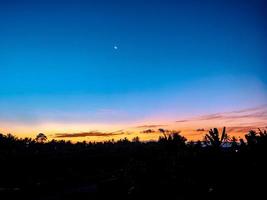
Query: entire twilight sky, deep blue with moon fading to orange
x=121 y=67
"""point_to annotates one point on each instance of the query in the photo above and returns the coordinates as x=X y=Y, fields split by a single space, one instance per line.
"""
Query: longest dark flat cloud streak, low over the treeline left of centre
x=88 y=134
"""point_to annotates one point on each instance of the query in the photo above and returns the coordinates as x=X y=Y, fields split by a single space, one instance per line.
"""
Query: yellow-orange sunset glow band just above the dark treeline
x=237 y=123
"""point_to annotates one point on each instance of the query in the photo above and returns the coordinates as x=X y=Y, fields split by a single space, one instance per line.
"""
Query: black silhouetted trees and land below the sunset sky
x=171 y=168
